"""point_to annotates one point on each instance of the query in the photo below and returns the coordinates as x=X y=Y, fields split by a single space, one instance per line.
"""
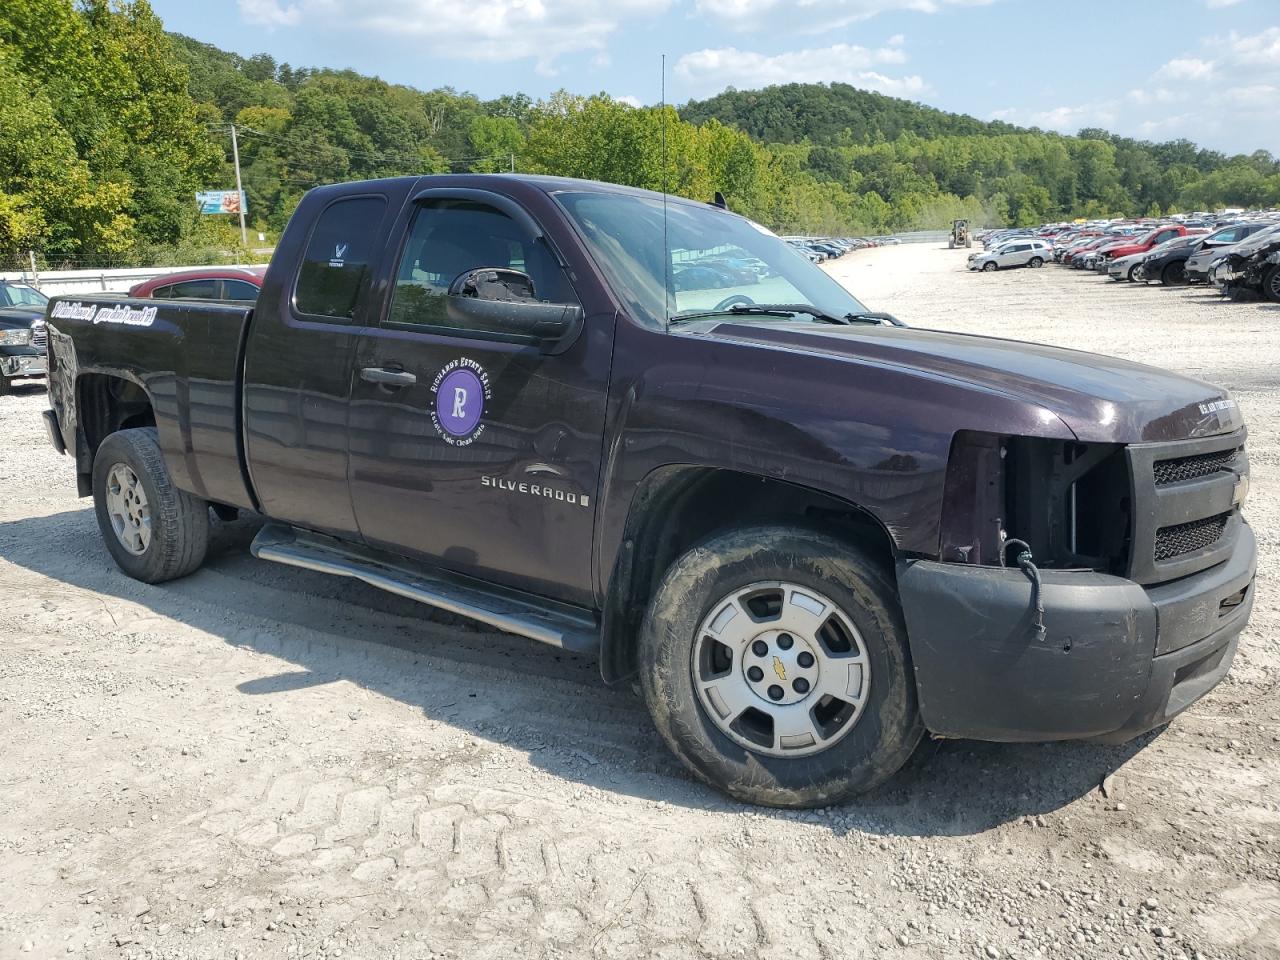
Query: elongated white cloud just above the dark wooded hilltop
x=706 y=72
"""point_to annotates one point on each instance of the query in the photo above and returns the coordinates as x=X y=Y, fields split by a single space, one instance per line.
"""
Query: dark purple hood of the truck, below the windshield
x=1100 y=399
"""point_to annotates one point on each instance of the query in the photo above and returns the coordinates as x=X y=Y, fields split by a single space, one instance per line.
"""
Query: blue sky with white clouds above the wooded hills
x=1204 y=70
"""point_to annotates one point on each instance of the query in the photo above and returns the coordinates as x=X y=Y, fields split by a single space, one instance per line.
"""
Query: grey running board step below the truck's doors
x=559 y=625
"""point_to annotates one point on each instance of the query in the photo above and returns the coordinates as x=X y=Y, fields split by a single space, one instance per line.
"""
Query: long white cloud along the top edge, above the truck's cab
x=484 y=30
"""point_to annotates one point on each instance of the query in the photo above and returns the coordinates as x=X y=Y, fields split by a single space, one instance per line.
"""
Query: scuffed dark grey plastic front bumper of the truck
x=1118 y=659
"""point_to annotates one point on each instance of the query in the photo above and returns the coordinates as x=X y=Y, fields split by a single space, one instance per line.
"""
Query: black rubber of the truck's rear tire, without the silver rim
x=180 y=522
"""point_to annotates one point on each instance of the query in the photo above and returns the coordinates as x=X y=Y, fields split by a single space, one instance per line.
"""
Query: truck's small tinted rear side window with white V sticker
x=339 y=263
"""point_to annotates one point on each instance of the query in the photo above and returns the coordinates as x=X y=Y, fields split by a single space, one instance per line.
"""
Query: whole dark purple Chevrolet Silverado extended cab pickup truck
x=813 y=533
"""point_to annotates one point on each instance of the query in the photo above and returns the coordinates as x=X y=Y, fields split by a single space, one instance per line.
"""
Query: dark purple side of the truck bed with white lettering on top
x=117 y=363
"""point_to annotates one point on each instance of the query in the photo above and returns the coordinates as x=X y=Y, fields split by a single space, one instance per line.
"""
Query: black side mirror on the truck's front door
x=501 y=303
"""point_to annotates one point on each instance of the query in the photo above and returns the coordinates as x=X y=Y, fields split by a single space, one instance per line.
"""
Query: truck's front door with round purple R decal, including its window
x=469 y=449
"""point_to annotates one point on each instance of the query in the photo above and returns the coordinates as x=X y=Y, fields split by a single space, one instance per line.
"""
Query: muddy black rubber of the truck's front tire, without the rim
x=890 y=726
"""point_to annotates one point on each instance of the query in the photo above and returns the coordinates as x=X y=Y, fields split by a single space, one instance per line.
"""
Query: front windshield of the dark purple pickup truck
x=715 y=259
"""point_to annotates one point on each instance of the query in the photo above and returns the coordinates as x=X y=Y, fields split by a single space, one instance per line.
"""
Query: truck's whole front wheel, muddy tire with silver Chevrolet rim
x=739 y=755
